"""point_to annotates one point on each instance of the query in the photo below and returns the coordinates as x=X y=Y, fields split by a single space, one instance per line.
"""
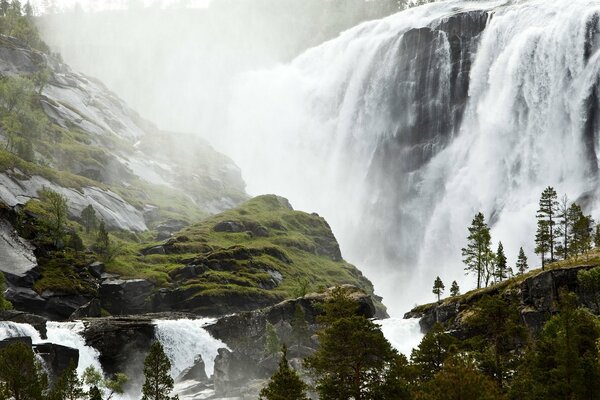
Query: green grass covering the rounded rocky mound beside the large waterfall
x=242 y=258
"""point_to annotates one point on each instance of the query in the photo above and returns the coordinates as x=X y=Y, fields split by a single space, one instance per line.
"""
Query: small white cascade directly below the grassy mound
x=185 y=339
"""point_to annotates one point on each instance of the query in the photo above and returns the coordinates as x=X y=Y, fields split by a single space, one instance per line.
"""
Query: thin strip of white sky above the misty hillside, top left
x=97 y=5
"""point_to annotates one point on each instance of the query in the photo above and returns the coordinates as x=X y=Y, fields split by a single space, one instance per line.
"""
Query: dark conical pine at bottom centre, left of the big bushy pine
x=285 y=384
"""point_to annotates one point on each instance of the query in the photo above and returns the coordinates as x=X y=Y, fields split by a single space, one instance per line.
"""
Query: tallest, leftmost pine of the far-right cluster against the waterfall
x=546 y=216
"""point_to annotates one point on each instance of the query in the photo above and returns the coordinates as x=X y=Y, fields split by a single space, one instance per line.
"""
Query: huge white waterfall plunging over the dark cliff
x=400 y=130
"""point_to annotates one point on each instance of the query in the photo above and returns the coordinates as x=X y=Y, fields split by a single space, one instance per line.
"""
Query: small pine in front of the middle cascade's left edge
x=158 y=382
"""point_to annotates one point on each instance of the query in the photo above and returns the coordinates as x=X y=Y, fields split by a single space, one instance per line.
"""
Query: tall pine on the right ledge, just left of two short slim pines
x=476 y=253
